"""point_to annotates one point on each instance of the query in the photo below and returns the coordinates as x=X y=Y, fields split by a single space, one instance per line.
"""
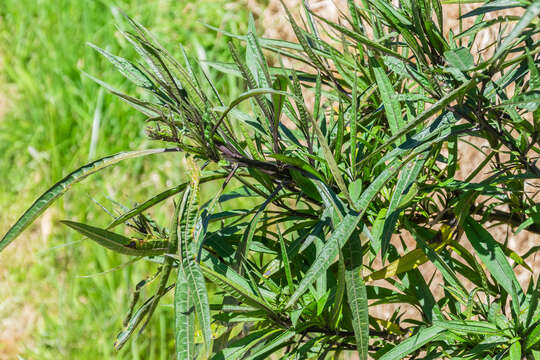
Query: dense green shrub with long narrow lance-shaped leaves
x=375 y=156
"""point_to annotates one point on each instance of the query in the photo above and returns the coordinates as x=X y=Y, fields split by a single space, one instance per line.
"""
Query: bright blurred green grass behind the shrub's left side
x=54 y=303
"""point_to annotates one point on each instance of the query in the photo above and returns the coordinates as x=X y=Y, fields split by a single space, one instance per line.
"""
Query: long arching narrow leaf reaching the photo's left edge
x=58 y=189
